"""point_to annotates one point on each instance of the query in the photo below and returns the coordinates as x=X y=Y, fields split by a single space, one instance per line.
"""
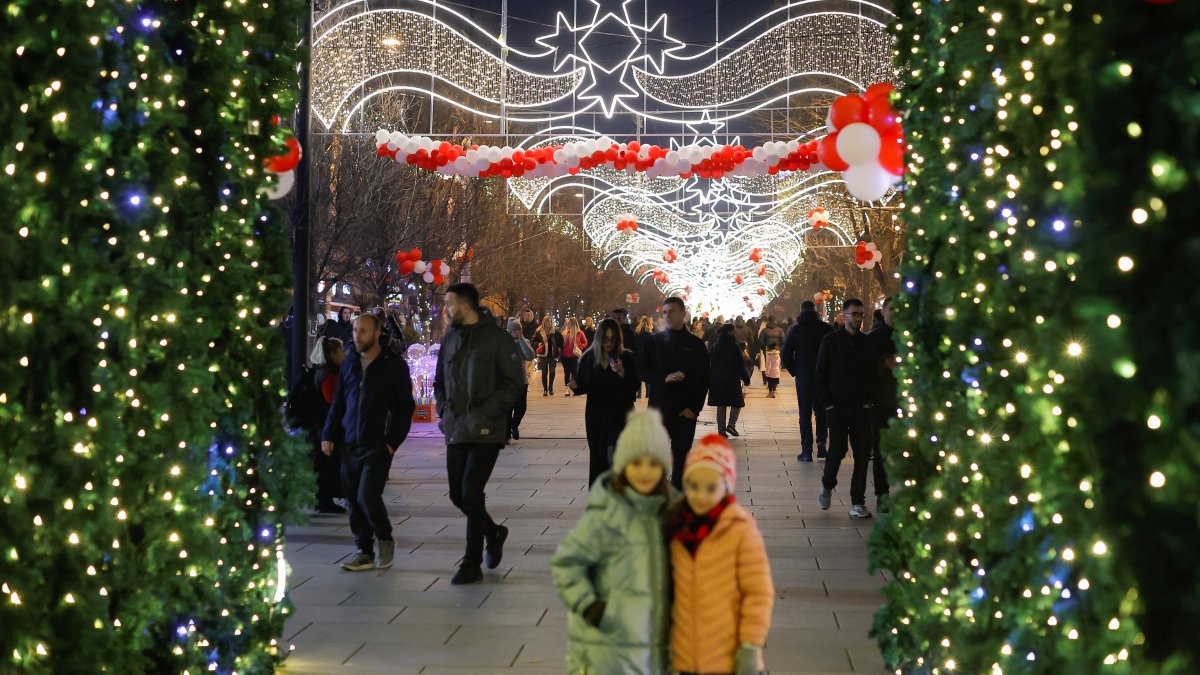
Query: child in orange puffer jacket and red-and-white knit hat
x=723 y=588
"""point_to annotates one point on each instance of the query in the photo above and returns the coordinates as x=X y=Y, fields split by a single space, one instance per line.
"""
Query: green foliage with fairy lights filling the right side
x=1049 y=461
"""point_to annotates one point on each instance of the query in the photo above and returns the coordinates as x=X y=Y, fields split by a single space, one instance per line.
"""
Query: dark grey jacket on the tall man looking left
x=479 y=379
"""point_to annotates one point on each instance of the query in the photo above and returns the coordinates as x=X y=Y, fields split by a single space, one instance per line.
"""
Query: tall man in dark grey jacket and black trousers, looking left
x=478 y=381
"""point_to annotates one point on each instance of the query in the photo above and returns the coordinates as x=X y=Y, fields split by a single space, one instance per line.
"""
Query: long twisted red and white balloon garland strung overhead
x=704 y=162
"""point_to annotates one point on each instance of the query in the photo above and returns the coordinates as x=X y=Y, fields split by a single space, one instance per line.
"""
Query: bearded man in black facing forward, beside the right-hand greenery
x=847 y=383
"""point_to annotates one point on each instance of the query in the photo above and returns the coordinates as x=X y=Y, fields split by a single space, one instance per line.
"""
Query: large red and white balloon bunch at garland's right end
x=866 y=142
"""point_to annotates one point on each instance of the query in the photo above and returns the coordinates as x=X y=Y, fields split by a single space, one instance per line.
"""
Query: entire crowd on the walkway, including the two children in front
x=662 y=506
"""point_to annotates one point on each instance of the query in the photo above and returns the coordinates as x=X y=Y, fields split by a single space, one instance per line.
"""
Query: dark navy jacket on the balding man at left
x=371 y=409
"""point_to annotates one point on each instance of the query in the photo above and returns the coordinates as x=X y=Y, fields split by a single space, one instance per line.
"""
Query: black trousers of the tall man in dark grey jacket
x=469 y=468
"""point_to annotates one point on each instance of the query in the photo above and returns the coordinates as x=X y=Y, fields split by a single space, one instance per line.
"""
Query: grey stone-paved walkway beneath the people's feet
x=410 y=619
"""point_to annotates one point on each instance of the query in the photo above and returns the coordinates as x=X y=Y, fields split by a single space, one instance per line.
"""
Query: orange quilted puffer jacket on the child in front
x=723 y=595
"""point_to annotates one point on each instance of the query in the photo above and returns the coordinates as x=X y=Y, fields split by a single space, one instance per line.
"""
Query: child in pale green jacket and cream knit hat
x=613 y=571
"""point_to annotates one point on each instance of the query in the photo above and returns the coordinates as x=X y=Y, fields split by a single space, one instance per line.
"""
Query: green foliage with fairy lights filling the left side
x=146 y=476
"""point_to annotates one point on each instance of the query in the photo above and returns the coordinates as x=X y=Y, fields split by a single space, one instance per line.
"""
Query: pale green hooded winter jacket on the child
x=617 y=554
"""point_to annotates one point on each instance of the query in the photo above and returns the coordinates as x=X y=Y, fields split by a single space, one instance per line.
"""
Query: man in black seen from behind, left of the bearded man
x=800 y=359
